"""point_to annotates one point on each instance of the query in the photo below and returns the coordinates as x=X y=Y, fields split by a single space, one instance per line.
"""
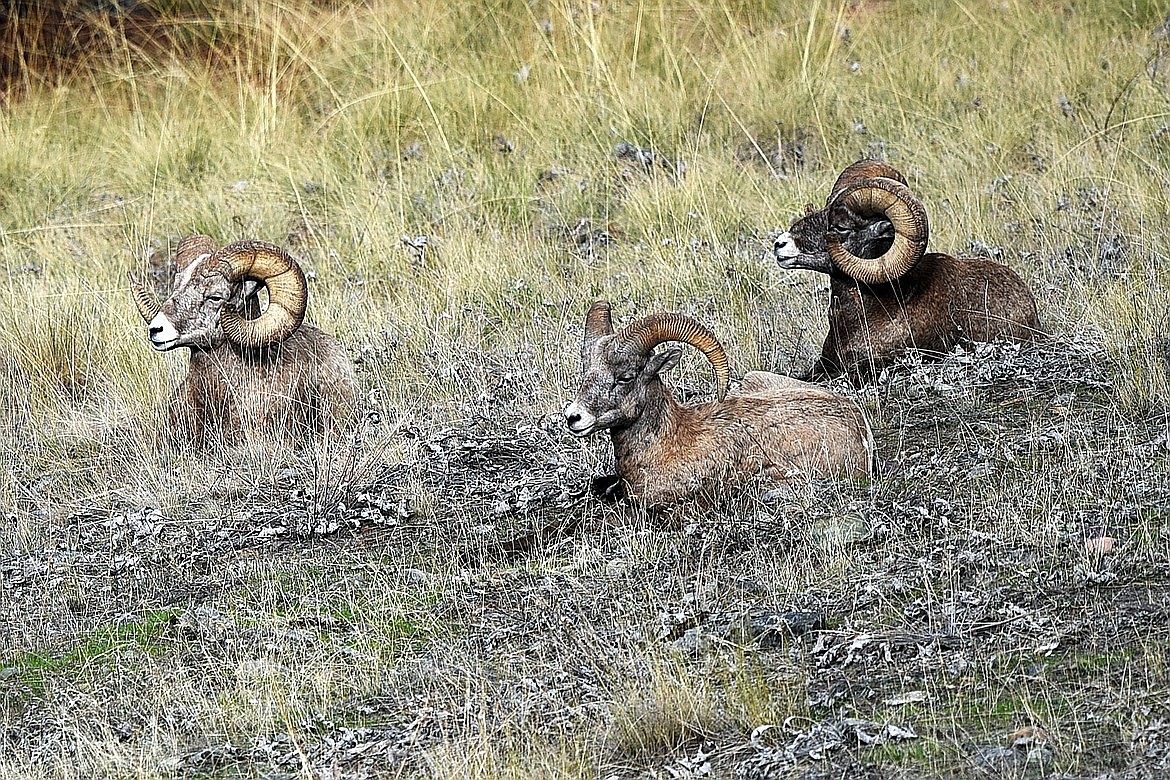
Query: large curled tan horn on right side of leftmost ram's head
x=288 y=293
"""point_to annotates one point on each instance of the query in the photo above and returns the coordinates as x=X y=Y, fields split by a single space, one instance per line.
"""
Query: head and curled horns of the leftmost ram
x=211 y=288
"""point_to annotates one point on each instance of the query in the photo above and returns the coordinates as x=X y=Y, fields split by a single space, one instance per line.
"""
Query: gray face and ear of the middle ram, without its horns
x=615 y=383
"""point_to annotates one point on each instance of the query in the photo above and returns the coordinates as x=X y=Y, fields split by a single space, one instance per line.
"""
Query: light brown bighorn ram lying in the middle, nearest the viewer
x=772 y=429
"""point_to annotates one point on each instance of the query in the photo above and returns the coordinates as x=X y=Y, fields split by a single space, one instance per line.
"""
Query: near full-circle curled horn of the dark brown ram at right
x=880 y=198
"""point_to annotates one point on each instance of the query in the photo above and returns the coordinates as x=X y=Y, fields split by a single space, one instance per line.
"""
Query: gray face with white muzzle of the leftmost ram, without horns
x=191 y=316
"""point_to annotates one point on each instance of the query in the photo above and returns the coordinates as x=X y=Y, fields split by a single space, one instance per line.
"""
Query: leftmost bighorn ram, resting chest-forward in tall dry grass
x=252 y=376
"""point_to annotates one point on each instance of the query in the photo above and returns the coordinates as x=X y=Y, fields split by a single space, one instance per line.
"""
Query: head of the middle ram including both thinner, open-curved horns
x=621 y=371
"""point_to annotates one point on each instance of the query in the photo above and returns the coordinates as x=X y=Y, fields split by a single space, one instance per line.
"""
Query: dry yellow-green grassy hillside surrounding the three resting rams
x=462 y=183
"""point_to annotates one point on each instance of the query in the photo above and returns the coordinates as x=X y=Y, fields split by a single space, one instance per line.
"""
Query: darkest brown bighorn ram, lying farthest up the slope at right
x=887 y=293
